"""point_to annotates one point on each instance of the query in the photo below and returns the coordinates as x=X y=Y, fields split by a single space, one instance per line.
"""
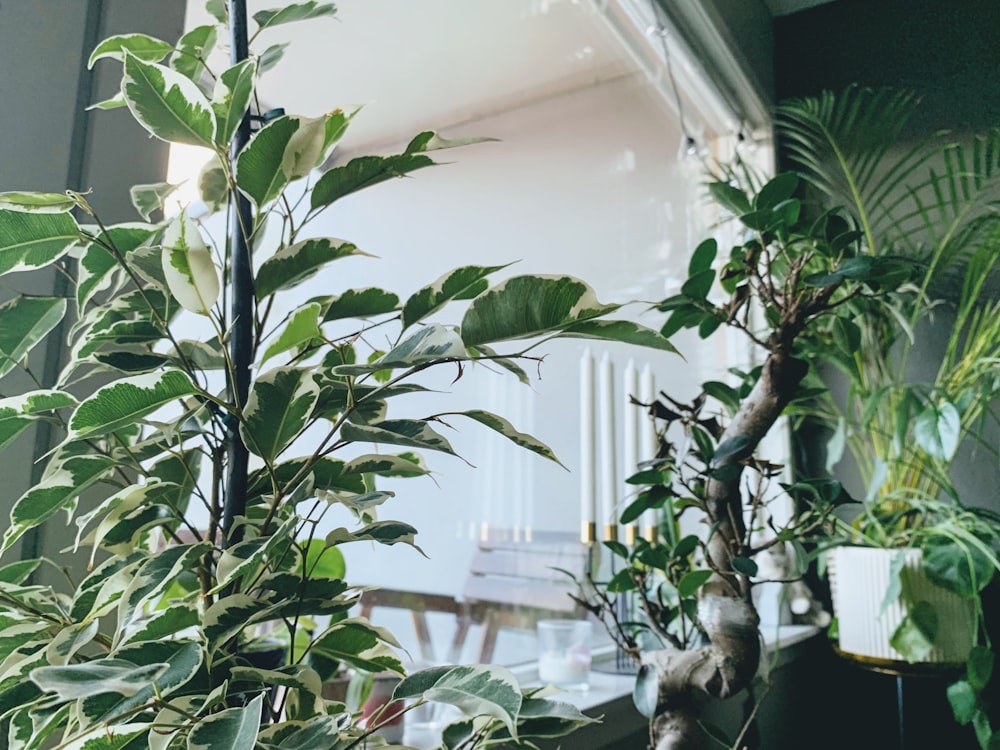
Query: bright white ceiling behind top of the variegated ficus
x=434 y=63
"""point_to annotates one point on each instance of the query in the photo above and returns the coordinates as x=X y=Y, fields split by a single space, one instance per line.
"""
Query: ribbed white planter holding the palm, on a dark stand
x=859 y=579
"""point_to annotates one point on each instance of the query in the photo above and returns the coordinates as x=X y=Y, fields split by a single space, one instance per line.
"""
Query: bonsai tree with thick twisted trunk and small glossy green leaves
x=796 y=269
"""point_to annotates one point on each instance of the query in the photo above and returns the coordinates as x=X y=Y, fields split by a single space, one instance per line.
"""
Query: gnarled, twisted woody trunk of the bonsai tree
x=729 y=661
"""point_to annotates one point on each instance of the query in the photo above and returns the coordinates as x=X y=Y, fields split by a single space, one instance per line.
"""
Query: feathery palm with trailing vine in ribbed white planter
x=933 y=201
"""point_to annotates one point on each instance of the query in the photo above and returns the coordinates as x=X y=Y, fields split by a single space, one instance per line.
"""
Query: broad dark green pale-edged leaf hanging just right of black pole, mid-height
x=278 y=409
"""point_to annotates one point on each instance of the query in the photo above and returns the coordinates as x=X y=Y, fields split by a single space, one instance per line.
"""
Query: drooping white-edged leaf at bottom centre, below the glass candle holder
x=477 y=690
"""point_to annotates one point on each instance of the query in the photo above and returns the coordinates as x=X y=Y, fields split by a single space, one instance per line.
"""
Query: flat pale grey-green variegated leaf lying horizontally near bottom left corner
x=73 y=681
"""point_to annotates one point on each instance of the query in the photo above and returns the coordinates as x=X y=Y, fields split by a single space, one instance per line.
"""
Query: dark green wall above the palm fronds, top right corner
x=946 y=50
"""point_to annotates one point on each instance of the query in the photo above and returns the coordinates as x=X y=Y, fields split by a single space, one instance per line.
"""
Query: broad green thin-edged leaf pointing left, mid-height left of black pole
x=127 y=401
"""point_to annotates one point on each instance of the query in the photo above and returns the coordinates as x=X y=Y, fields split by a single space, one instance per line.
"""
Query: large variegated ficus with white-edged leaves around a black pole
x=195 y=469
